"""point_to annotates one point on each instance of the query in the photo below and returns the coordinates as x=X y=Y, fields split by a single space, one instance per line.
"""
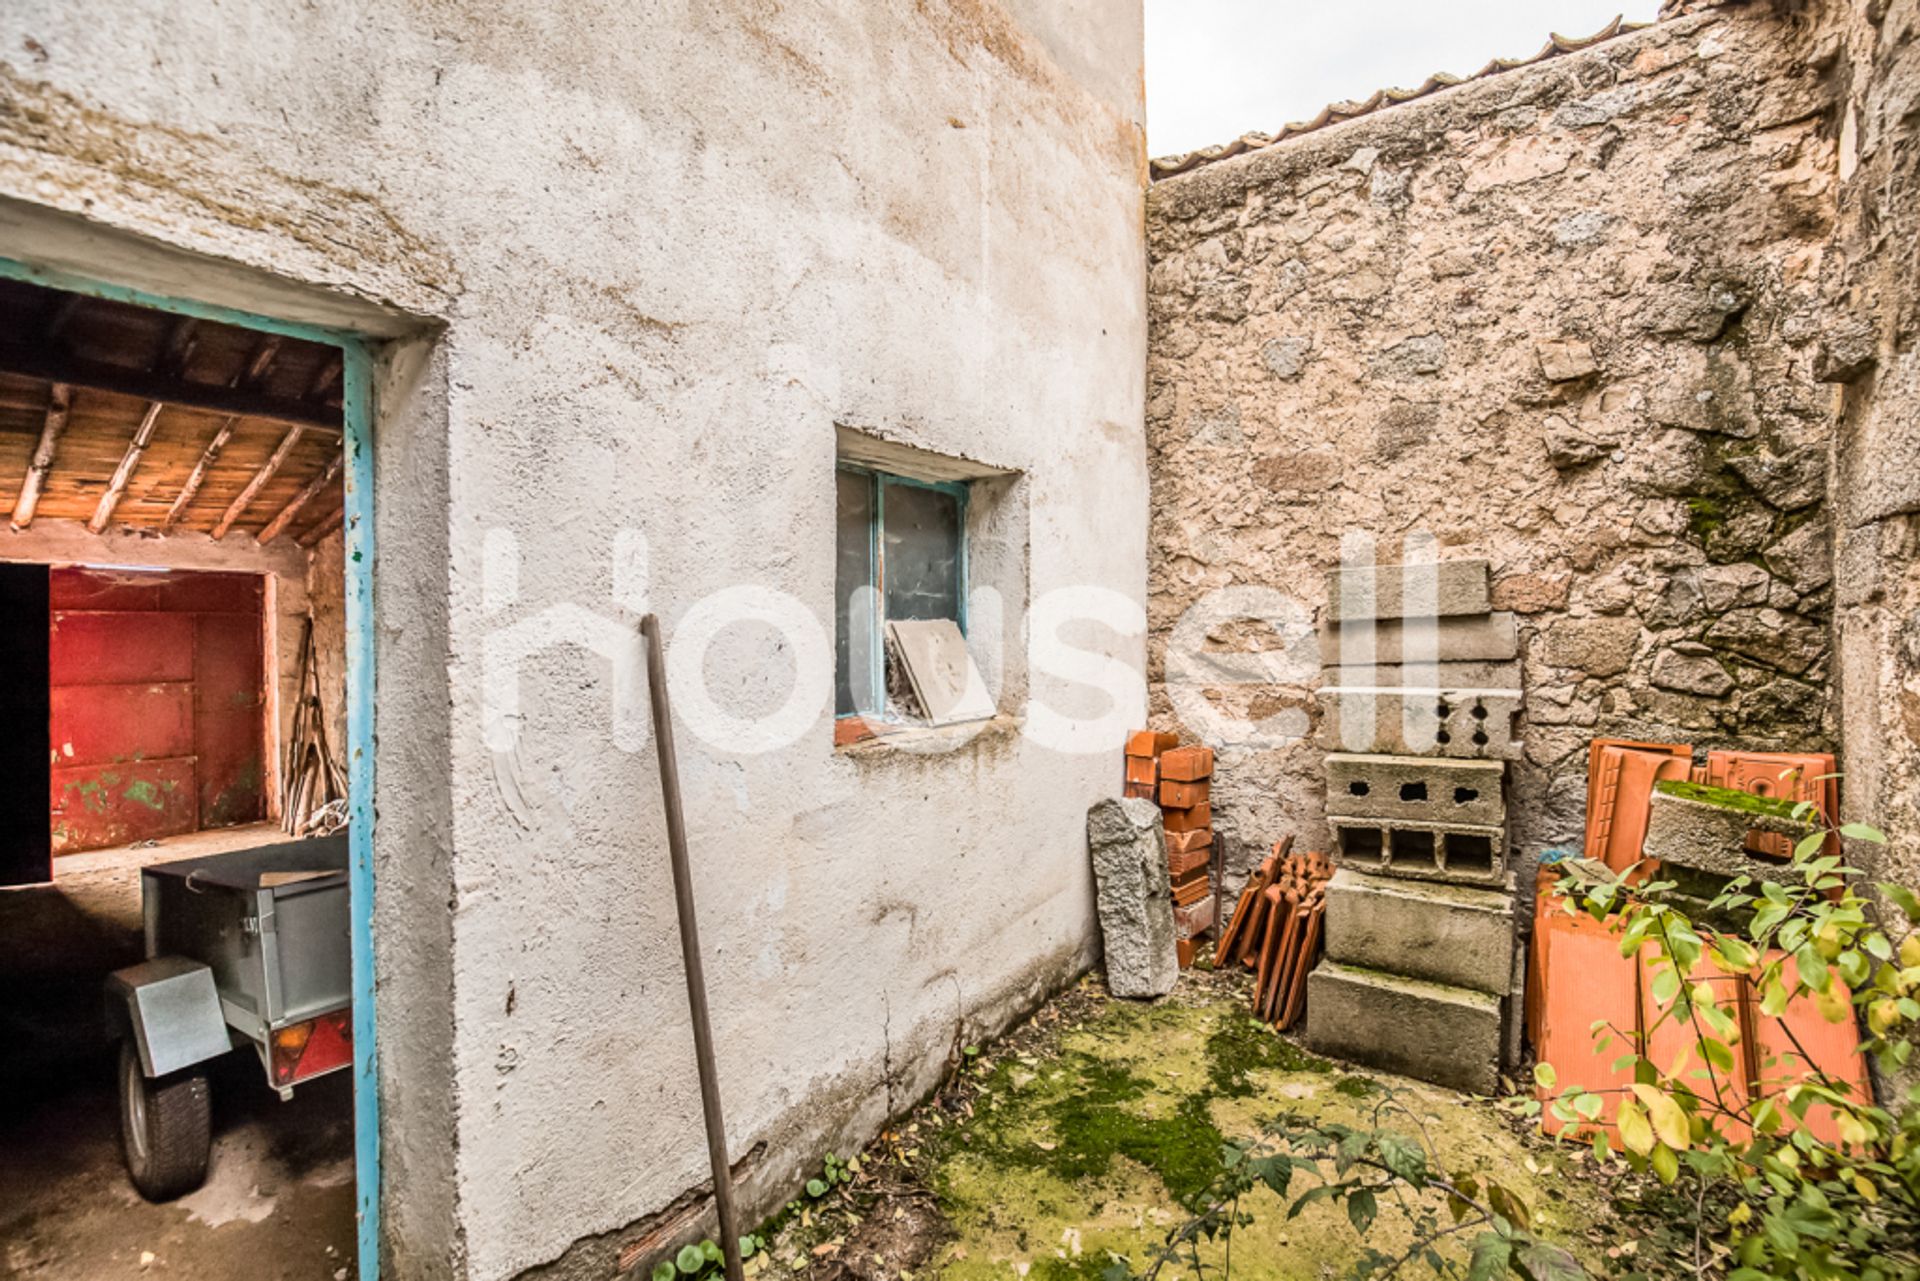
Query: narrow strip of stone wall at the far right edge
x=1875 y=364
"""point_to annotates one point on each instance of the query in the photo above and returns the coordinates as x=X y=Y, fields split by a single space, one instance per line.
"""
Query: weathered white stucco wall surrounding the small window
x=671 y=249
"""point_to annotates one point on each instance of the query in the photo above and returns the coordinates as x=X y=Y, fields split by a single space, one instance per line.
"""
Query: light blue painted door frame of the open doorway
x=360 y=562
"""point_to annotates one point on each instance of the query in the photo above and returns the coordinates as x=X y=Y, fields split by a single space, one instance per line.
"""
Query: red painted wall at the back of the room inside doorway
x=158 y=704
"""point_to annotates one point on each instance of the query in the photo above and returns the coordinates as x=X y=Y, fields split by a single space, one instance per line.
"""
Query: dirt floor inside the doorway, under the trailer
x=279 y=1197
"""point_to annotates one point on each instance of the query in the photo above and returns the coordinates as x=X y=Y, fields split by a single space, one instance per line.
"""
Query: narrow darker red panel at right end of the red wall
x=229 y=731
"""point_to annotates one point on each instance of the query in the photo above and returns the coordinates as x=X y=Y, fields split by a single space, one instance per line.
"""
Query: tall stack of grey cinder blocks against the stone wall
x=1420 y=692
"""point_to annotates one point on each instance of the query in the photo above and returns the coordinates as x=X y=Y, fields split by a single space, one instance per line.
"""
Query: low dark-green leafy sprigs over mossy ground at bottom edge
x=1364 y=1171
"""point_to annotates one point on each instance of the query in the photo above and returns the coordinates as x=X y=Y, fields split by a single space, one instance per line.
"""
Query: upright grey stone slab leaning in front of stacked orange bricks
x=1134 y=898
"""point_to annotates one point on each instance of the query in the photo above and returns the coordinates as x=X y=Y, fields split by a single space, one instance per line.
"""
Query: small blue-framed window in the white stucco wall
x=901 y=556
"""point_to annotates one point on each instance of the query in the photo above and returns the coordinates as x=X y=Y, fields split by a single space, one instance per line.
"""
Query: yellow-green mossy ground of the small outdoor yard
x=1093 y=1128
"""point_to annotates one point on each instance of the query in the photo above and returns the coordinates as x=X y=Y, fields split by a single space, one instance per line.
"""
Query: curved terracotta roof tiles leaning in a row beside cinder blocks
x=1276 y=931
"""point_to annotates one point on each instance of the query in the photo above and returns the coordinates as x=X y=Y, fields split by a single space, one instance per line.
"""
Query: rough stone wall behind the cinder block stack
x=1564 y=320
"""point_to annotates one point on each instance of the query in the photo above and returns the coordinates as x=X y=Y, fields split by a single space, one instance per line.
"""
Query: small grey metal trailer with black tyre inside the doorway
x=249 y=948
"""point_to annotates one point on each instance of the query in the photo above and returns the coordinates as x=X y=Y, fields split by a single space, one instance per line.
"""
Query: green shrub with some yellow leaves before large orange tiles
x=1771 y=1196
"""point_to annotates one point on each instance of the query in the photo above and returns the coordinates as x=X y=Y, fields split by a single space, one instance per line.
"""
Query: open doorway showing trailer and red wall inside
x=174 y=811
